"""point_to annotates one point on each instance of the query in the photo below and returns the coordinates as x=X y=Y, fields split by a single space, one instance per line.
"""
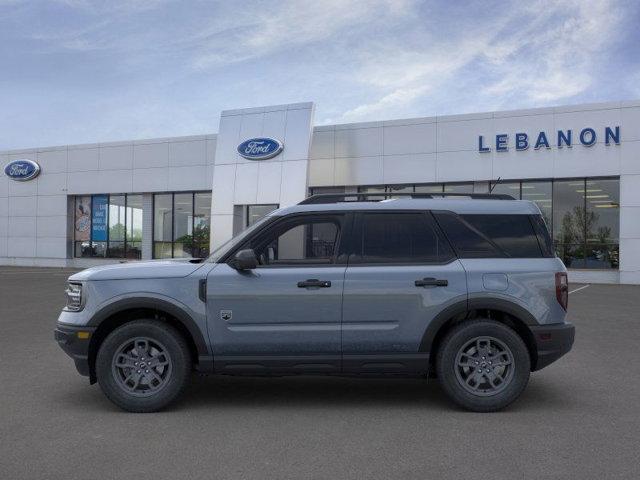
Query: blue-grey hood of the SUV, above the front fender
x=134 y=270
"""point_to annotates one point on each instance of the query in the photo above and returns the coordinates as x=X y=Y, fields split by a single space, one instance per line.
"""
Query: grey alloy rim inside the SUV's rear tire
x=484 y=366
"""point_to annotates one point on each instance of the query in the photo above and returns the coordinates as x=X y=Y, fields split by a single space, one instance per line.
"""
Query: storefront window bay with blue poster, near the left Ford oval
x=106 y=226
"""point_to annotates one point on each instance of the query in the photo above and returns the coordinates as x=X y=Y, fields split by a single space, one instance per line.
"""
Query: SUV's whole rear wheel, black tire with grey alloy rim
x=453 y=365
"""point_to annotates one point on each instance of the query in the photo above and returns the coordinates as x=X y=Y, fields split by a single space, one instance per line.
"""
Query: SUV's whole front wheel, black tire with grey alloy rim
x=124 y=385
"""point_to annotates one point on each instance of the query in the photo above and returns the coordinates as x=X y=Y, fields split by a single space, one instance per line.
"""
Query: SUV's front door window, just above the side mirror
x=303 y=241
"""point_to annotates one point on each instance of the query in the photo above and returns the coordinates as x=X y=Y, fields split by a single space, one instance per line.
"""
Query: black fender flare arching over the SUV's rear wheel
x=464 y=307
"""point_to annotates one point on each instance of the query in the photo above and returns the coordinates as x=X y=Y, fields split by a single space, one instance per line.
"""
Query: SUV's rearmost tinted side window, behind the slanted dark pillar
x=513 y=234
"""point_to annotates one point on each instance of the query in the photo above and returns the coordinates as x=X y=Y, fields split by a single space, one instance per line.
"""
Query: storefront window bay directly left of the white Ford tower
x=182 y=224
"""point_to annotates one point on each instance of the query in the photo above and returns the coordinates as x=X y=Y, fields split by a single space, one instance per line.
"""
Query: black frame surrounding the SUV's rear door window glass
x=357 y=232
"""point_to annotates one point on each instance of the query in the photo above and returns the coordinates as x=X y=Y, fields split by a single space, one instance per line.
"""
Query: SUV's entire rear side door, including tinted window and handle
x=401 y=274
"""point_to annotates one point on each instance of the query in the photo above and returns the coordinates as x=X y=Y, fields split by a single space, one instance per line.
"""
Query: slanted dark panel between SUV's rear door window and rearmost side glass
x=467 y=242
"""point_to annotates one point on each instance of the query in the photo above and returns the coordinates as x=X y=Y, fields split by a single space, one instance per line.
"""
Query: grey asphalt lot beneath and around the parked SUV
x=578 y=418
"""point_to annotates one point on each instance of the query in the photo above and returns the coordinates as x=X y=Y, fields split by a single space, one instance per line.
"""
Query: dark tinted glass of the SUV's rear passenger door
x=401 y=238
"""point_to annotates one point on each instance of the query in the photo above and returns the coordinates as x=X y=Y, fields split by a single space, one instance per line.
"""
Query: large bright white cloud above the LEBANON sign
x=541 y=53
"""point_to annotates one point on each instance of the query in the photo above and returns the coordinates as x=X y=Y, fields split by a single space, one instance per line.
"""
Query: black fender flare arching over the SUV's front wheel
x=153 y=303
